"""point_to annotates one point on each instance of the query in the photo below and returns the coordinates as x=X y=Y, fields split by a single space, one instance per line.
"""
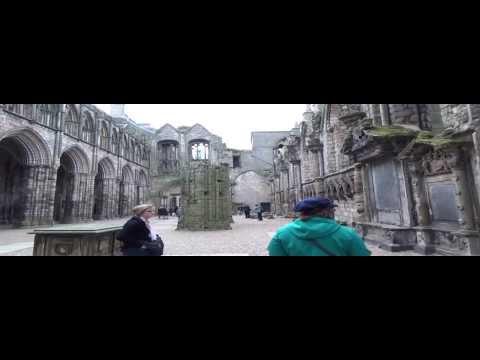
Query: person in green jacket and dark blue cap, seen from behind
x=316 y=233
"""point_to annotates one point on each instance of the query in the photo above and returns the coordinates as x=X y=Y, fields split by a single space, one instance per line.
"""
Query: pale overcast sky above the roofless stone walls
x=233 y=123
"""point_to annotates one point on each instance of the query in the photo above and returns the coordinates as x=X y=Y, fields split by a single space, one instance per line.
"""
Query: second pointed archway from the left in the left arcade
x=71 y=197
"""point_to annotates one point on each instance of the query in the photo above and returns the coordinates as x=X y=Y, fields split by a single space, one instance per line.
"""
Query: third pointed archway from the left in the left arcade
x=104 y=191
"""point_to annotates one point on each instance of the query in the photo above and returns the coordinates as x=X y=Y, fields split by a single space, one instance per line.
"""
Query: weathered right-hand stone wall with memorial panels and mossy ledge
x=407 y=176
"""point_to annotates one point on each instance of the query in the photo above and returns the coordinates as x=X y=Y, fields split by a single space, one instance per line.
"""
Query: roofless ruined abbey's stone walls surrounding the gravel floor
x=406 y=176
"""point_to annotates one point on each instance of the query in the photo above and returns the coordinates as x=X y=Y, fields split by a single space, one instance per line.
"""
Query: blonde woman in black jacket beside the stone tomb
x=137 y=235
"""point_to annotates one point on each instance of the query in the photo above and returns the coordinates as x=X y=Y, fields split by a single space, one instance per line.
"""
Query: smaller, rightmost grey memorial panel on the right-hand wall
x=443 y=202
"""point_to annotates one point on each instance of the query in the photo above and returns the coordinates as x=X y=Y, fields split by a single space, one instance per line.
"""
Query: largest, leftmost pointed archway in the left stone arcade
x=24 y=170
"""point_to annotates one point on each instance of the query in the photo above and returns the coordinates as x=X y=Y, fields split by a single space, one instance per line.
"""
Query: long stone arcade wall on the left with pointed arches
x=69 y=163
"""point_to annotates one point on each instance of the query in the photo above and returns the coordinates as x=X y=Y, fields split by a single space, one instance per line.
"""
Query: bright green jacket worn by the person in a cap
x=298 y=239
